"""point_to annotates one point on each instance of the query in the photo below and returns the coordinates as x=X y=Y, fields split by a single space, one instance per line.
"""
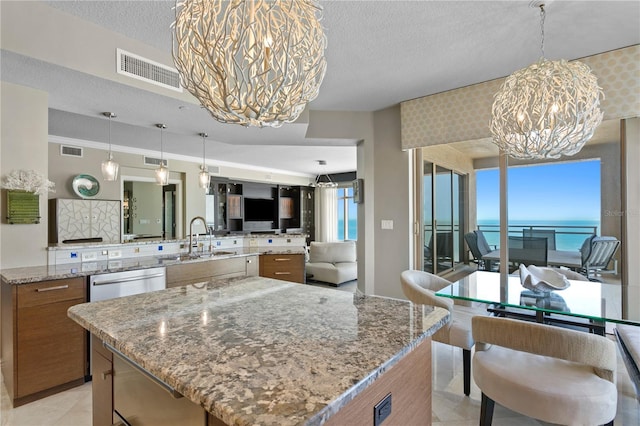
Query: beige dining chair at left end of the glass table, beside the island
x=420 y=288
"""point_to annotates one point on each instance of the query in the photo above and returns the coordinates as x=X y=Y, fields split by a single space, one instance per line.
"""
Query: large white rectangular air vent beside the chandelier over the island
x=147 y=70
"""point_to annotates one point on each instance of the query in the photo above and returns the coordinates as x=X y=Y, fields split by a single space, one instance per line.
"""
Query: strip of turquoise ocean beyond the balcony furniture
x=570 y=234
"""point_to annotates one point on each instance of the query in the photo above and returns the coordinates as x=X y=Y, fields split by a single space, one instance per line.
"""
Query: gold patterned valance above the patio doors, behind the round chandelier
x=465 y=113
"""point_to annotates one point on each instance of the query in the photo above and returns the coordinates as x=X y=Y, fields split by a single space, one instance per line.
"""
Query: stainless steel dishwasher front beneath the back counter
x=119 y=284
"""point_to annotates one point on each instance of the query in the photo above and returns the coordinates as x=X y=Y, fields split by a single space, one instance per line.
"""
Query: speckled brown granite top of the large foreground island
x=262 y=351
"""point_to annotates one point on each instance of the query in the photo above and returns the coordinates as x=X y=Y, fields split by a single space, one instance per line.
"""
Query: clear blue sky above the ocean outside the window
x=560 y=192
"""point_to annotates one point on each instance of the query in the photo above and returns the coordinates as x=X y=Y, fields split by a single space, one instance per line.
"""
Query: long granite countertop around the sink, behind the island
x=31 y=274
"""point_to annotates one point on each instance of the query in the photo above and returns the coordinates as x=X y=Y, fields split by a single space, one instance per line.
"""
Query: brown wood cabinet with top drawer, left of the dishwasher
x=43 y=350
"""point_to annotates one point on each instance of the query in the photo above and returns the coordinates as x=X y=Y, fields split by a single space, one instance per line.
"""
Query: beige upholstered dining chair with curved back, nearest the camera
x=545 y=372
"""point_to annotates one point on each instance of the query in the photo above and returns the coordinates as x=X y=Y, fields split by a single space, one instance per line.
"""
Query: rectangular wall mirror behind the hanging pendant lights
x=150 y=211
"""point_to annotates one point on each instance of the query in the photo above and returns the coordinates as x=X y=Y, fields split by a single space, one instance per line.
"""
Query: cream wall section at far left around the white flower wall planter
x=23 y=145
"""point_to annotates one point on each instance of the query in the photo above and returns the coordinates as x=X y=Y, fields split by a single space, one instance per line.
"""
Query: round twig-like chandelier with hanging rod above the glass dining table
x=548 y=109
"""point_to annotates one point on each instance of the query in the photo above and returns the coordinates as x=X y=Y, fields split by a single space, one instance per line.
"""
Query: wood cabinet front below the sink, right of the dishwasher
x=196 y=272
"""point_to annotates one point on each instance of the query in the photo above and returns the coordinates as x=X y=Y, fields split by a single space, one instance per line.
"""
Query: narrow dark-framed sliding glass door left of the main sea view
x=443 y=207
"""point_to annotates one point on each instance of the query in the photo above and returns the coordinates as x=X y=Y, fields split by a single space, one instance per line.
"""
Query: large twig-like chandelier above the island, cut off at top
x=253 y=62
